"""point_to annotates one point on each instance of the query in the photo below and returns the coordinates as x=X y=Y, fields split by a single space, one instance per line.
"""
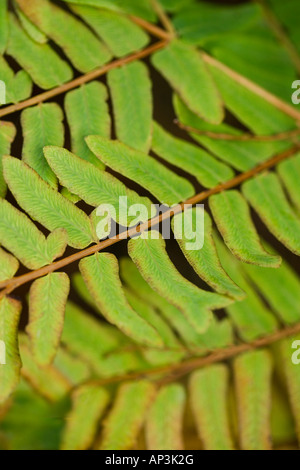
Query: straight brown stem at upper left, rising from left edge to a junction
x=47 y=95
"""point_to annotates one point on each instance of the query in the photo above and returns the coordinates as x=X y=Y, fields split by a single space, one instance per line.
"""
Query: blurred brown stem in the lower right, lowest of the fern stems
x=187 y=366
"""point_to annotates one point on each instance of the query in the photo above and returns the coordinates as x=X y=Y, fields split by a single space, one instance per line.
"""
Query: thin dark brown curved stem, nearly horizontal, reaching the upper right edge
x=241 y=138
